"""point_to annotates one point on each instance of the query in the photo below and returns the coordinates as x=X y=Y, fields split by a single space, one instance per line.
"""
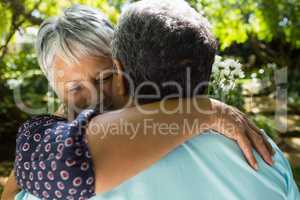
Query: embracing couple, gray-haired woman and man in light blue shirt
x=140 y=126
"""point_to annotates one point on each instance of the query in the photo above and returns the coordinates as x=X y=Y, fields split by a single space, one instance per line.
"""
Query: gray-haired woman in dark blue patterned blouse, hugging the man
x=53 y=158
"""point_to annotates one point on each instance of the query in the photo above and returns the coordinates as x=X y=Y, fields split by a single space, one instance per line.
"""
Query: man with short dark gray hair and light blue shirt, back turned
x=157 y=42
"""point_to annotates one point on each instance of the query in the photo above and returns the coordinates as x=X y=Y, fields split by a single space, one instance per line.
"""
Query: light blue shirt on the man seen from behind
x=208 y=167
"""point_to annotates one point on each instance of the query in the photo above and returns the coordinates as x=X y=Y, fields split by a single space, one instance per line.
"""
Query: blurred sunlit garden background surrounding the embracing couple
x=263 y=35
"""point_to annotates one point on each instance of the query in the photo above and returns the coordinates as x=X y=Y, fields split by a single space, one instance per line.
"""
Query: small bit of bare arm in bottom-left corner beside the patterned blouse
x=11 y=188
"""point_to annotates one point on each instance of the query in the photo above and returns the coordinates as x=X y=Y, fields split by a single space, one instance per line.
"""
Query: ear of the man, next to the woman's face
x=119 y=78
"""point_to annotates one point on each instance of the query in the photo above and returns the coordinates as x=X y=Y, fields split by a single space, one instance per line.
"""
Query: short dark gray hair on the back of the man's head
x=165 y=40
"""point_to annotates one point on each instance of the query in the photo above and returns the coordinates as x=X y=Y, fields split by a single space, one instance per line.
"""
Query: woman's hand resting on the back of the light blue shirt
x=233 y=124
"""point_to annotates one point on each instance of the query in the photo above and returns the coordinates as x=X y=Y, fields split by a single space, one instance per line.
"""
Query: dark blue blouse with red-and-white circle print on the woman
x=52 y=158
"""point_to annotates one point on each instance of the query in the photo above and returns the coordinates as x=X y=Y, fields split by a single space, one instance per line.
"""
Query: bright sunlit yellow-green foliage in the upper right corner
x=266 y=20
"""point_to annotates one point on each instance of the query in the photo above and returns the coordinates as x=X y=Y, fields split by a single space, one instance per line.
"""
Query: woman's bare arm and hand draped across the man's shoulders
x=122 y=143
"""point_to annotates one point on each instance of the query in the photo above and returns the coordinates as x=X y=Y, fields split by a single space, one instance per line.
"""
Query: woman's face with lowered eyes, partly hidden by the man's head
x=85 y=83
